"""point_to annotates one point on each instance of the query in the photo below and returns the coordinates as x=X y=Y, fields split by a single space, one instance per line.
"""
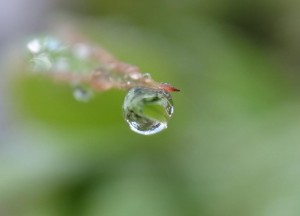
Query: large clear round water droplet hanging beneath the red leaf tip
x=147 y=111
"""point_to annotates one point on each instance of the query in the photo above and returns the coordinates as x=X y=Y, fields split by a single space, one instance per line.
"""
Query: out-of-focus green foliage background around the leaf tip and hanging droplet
x=231 y=148
